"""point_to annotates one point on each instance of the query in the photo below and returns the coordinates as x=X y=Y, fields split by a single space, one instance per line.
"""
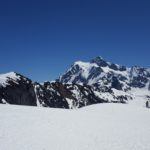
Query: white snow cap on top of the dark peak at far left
x=6 y=78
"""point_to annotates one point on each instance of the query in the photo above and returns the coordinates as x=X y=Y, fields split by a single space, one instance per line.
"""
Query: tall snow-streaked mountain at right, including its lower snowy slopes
x=110 y=82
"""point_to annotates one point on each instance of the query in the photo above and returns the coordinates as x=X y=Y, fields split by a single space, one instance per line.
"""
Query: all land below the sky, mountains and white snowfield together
x=120 y=122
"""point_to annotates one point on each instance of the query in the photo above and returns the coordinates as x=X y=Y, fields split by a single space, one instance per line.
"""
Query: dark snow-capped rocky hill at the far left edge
x=17 y=90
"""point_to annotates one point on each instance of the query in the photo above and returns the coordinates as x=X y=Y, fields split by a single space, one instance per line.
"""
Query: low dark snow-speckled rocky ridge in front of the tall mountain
x=59 y=95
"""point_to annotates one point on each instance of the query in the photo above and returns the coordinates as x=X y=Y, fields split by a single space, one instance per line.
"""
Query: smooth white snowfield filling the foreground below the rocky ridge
x=97 y=127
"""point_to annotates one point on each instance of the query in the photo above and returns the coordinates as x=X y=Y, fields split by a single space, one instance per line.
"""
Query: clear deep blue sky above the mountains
x=41 y=39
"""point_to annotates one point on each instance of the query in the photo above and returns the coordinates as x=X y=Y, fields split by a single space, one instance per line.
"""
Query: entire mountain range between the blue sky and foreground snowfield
x=85 y=83
